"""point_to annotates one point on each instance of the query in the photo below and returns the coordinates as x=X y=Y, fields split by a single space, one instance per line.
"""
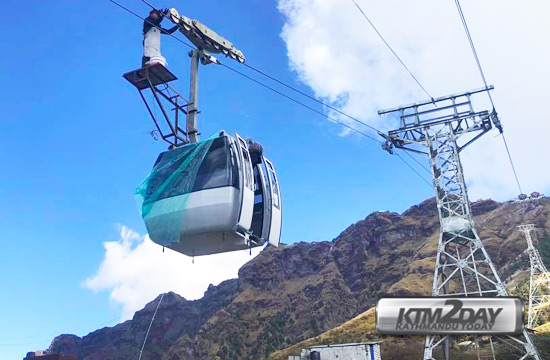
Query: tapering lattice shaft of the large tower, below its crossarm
x=463 y=266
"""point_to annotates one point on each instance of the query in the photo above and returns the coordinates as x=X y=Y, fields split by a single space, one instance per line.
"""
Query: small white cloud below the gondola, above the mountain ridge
x=135 y=270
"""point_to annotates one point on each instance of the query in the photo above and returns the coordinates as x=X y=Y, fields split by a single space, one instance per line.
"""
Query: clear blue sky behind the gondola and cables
x=74 y=146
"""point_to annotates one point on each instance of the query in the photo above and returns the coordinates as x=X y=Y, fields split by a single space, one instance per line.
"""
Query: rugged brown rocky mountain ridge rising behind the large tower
x=292 y=293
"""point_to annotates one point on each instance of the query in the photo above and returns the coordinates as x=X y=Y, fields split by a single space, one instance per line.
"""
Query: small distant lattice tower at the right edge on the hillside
x=539 y=281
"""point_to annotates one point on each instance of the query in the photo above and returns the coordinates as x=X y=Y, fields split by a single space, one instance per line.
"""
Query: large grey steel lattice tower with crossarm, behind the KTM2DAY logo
x=463 y=266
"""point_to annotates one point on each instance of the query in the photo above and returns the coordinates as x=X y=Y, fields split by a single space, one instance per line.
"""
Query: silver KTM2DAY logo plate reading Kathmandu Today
x=440 y=315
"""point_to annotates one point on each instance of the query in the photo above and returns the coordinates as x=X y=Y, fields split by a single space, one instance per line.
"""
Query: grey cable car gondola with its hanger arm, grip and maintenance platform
x=203 y=197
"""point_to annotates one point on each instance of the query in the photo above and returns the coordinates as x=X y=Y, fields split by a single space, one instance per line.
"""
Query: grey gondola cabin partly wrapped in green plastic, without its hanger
x=208 y=197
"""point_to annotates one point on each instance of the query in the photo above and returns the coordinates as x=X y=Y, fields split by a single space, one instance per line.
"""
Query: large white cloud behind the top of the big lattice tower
x=335 y=52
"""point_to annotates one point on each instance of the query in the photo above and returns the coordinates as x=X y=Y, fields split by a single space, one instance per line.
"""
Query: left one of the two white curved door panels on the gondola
x=247 y=185
